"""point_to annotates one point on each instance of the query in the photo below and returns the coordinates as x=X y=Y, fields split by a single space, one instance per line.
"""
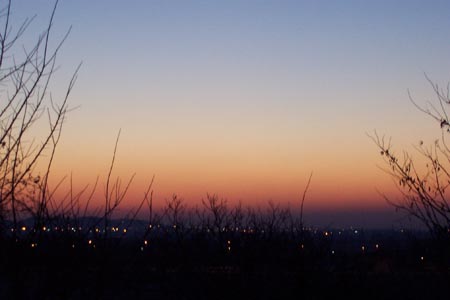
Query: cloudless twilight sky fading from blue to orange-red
x=246 y=98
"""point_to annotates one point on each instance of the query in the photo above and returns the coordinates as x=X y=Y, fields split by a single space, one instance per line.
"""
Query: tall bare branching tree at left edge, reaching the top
x=26 y=102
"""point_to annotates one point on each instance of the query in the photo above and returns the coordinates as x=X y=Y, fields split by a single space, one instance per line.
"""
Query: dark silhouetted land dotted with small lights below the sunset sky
x=261 y=256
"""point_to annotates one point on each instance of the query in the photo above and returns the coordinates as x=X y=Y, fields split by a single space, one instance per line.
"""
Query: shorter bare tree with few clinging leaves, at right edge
x=424 y=189
